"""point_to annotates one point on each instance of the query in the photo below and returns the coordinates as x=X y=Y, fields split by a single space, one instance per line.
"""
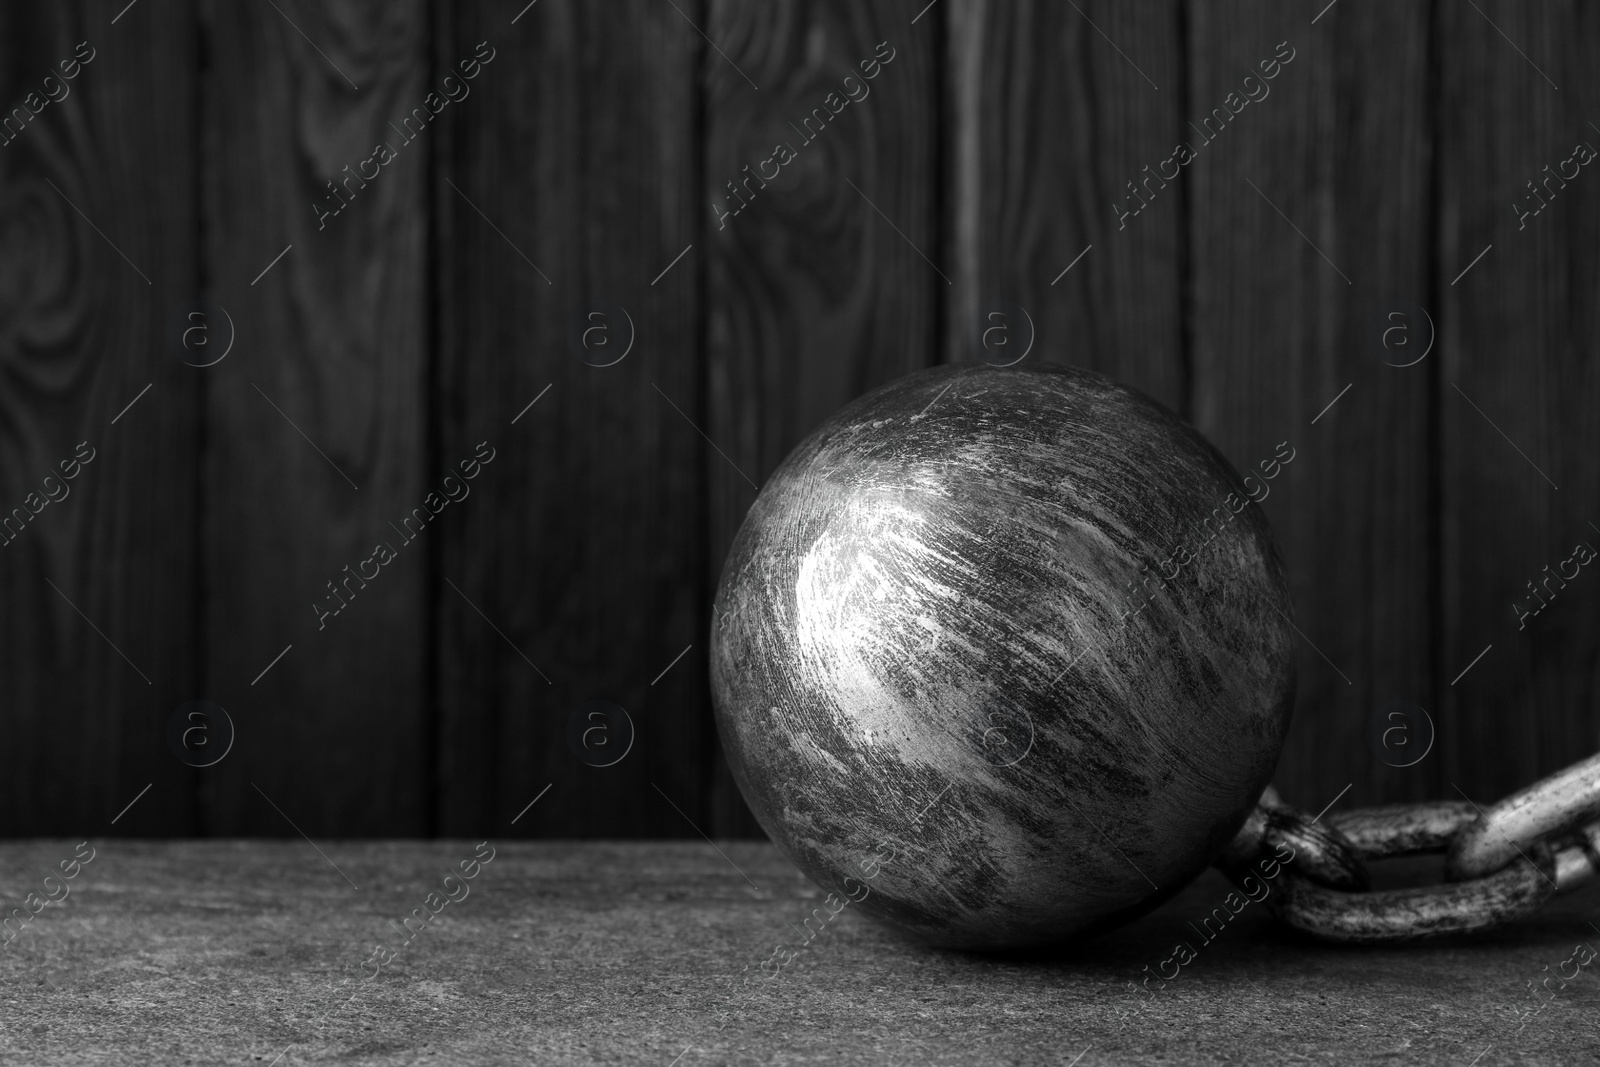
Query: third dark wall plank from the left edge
x=575 y=570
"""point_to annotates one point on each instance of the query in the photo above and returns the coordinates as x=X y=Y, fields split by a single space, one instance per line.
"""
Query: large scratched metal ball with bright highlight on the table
x=950 y=692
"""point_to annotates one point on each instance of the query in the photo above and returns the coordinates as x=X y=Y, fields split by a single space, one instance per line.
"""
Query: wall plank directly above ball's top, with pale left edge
x=1052 y=113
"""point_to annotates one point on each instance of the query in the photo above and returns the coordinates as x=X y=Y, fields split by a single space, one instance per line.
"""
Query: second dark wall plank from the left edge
x=316 y=436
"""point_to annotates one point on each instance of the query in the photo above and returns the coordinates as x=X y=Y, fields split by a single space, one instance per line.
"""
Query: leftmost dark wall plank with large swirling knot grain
x=97 y=644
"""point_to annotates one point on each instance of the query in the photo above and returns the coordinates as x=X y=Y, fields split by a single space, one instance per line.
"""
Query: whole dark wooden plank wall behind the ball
x=377 y=350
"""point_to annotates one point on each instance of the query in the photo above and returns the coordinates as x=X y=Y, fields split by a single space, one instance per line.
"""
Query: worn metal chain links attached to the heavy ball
x=1502 y=863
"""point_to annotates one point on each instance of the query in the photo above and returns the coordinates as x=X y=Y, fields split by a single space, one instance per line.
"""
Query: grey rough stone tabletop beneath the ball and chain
x=263 y=953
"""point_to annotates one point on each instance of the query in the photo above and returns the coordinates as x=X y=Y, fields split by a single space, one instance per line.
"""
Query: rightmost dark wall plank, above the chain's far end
x=1521 y=383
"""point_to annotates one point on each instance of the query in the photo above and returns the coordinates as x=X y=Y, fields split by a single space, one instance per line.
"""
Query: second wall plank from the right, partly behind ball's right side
x=1311 y=218
